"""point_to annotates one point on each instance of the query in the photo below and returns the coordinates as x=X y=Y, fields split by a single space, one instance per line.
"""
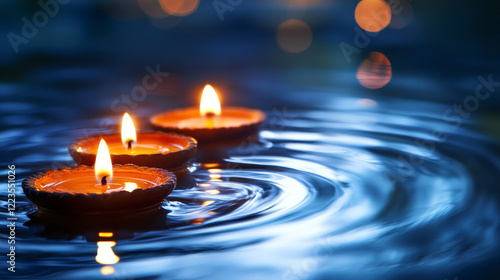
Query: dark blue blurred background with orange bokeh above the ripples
x=425 y=50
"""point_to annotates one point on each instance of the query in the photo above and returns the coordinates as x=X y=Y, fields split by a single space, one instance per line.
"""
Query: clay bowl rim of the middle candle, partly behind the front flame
x=171 y=159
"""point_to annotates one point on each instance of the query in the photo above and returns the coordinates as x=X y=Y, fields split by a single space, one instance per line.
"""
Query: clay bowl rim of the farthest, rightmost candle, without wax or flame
x=204 y=134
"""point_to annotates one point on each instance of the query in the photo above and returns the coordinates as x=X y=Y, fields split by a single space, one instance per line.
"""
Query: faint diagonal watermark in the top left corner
x=30 y=28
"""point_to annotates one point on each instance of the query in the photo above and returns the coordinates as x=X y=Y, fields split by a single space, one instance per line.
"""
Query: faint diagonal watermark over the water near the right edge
x=455 y=115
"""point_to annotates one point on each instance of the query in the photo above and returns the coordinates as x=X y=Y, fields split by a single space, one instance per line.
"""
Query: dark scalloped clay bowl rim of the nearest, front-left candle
x=118 y=201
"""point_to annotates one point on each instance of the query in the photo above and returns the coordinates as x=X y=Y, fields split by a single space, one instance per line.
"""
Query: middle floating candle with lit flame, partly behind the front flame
x=162 y=150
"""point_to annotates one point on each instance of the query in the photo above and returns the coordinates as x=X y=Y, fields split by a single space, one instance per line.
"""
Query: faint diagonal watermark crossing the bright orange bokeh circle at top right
x=362 y=39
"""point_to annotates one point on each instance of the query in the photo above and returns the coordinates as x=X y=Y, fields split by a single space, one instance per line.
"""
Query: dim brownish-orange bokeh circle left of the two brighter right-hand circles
x=294 y=36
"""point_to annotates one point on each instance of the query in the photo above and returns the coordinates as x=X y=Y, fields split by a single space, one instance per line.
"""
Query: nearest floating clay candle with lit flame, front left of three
x=105 y=187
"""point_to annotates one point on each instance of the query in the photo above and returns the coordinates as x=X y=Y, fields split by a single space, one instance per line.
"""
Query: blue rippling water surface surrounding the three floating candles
x=365 y=189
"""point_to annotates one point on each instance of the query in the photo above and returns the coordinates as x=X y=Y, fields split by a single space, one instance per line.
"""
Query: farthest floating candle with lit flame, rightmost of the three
x=210 y=122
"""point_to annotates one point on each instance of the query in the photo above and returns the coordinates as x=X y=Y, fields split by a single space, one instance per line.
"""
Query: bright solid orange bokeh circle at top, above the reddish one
x=373 y=15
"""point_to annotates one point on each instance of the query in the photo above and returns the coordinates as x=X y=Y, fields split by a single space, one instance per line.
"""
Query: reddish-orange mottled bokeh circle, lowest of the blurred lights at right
x=375 y=72
